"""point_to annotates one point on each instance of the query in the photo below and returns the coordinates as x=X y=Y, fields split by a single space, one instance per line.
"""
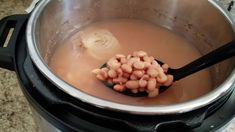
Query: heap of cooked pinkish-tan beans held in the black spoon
x=136 y=72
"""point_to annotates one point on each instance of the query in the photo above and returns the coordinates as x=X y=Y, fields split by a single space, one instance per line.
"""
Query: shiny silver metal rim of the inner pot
x=200 y=102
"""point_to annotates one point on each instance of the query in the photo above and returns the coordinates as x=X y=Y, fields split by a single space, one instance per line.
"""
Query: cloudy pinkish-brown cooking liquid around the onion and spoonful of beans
x=74 y=64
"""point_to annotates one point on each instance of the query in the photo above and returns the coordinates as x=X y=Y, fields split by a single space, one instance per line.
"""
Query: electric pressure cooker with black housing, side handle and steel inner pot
x=58 y=106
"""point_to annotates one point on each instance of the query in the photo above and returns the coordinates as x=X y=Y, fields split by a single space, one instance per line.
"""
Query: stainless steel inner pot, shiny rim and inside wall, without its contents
x=203 y=23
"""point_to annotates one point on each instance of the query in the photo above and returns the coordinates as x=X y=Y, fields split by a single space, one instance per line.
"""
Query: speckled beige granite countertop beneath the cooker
x=15 y=114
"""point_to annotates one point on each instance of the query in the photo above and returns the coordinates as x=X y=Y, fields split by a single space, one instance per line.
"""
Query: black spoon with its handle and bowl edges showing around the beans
x=222 y=53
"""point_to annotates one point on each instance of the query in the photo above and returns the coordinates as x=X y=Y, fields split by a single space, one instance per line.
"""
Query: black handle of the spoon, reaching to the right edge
x=217 y=55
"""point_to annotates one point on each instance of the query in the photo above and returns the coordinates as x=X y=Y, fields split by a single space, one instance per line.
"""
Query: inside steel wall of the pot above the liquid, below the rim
x=197 y=21
